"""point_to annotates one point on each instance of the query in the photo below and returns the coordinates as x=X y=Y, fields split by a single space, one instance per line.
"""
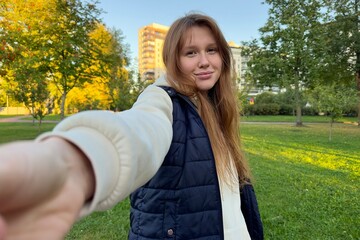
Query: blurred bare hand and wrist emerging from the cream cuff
x=42 y=188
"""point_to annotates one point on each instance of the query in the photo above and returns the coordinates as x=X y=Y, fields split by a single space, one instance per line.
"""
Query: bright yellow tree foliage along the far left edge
x=22 y=59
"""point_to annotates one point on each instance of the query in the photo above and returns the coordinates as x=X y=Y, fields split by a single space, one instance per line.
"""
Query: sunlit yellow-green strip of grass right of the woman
x=321 y=153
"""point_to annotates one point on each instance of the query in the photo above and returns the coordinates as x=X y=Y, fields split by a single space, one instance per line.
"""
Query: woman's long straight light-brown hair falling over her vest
x=218 y=108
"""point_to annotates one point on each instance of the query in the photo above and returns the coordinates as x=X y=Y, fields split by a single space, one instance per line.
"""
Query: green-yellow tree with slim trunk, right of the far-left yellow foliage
x=69 y=46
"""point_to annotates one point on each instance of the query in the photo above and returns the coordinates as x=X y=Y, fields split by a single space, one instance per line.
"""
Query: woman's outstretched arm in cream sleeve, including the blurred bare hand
x=90 y=161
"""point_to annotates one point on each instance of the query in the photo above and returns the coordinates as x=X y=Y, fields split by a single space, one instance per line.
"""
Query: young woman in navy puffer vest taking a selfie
x=176 y=153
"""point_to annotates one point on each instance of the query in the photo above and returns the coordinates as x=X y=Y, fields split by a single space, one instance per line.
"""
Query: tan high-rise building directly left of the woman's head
x=151 y=40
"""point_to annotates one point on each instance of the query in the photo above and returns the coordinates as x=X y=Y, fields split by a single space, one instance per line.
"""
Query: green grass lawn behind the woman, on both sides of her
x=307 y=186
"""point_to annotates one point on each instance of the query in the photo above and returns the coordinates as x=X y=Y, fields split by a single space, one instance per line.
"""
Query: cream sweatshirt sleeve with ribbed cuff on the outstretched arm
x=125 y=149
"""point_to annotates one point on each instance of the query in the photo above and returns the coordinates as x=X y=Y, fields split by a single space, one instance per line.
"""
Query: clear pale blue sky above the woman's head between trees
x=238 y=19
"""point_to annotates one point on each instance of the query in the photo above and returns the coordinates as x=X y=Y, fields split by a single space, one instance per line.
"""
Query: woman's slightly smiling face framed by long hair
x=200 y=58
